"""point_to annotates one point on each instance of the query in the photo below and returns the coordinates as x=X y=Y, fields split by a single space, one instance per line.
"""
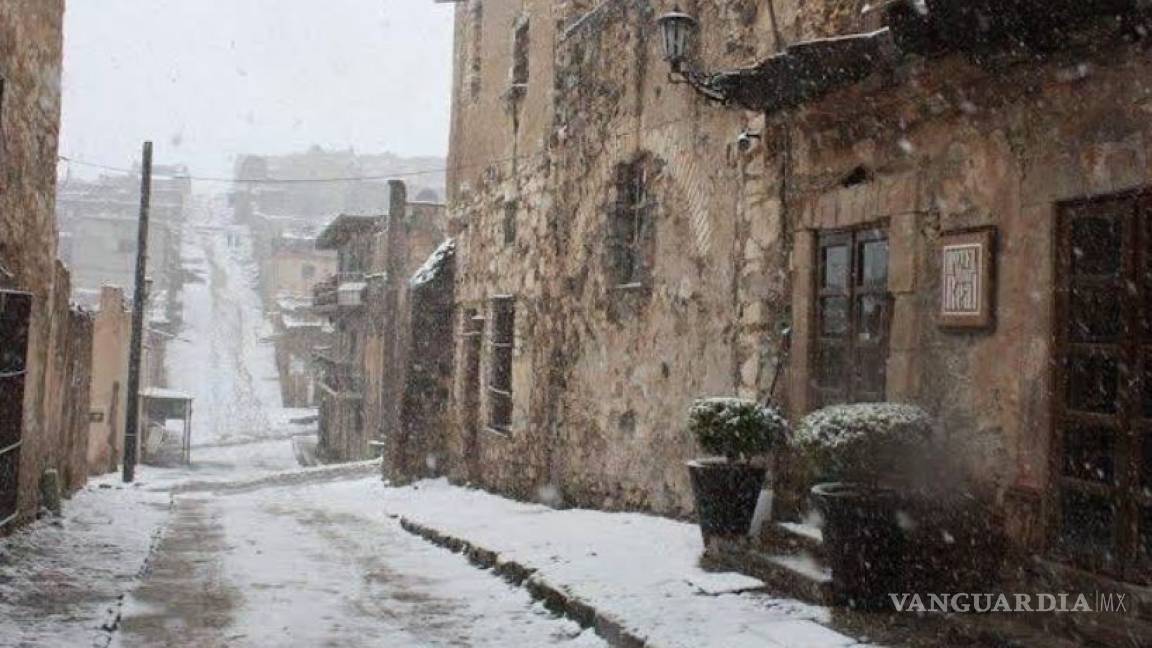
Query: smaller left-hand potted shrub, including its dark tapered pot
x=729 y=485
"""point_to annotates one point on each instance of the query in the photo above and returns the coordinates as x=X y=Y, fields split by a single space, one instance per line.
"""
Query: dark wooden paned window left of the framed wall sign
x=853 y=308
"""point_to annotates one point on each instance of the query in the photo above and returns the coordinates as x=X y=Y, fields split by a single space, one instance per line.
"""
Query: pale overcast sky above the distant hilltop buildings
x=210 y=79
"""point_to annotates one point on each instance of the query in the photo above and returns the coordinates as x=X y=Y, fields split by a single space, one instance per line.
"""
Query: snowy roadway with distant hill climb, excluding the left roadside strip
x=255 y=554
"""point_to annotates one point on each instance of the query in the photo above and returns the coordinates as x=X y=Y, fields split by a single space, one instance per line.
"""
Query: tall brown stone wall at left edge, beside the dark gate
x=31 y=65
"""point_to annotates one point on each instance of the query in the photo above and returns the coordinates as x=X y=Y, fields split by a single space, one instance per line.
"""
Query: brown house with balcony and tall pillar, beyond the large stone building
x=368 y=304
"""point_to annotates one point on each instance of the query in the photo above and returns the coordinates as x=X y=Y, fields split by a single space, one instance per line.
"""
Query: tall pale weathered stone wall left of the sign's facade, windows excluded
x=603 y=374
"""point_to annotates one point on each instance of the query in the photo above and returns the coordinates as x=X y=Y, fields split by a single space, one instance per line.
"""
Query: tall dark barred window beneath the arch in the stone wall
x=630 y=223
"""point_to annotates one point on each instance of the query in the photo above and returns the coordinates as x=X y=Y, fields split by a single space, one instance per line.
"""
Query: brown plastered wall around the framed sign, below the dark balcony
x=974 y=147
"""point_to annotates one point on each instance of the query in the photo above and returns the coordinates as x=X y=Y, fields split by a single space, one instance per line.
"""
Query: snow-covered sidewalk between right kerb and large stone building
x=641 y=570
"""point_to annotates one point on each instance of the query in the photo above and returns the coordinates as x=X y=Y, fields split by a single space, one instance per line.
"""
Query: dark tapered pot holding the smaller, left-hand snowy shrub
x=726 y=496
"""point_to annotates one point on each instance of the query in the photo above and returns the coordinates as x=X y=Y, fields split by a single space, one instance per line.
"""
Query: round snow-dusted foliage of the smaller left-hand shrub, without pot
x=737 y=428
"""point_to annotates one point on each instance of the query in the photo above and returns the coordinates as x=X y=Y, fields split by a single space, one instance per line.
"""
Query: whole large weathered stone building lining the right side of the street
x=942 y=207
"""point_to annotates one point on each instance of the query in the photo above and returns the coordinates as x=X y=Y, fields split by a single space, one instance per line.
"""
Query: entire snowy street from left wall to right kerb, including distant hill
x=255 y=552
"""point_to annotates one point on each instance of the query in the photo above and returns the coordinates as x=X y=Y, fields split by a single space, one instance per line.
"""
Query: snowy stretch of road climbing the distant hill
x=226 y=360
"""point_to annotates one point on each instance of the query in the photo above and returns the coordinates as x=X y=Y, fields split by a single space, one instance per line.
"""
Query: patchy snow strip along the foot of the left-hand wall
x=60 y=581
